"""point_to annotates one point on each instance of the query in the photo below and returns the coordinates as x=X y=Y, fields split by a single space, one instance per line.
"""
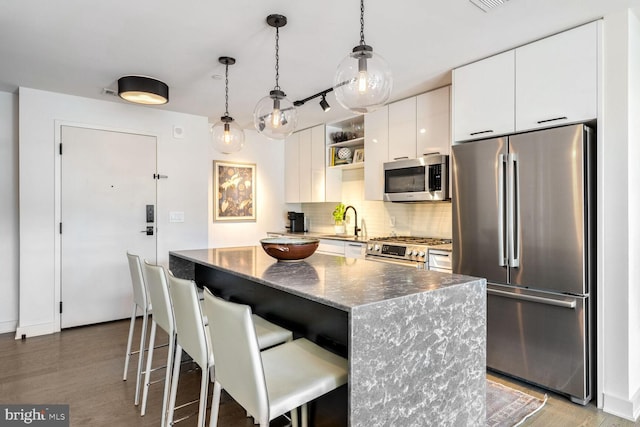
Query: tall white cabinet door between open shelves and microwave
x=376 y=146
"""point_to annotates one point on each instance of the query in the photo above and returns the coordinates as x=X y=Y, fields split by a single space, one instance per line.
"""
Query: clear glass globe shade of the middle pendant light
x=275 y=116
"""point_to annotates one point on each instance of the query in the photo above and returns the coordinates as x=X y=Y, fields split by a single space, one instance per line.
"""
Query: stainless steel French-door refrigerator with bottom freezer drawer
x=523 y=218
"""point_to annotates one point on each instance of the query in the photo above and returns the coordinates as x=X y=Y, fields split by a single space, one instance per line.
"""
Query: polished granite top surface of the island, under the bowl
x=343 y=283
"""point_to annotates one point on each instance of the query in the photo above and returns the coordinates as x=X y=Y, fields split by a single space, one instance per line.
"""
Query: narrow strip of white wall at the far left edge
x=9 y=244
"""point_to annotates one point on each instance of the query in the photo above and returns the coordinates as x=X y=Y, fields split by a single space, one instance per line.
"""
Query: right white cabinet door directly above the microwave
x=433 y=122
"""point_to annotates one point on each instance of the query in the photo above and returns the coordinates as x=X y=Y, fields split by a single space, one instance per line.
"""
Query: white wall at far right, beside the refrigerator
x=619 y=155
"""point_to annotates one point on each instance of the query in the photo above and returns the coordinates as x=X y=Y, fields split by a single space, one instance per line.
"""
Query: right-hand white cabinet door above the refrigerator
x=557 y=79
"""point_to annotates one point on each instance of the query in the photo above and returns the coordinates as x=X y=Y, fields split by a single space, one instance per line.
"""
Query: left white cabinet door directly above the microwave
x=402 y=129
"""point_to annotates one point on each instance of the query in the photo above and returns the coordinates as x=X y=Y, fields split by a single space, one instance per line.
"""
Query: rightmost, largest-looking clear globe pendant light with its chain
x=363 y=80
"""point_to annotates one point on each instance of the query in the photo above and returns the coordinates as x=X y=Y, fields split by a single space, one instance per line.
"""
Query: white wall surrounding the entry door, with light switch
x=185 y=161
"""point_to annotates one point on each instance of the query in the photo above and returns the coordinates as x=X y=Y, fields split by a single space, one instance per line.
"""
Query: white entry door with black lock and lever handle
x=107 y=181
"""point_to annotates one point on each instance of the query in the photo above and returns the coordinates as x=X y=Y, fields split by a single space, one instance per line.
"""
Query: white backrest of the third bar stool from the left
x=190 y=329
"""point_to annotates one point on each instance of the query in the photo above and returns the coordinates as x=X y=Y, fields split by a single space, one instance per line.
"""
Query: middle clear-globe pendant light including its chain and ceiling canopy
x=275 y=116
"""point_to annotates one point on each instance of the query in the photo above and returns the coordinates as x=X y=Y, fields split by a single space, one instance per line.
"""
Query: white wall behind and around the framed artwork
x=268 y=156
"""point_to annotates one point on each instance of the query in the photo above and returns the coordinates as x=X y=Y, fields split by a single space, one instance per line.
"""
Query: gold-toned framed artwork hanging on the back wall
x=234 y=187
